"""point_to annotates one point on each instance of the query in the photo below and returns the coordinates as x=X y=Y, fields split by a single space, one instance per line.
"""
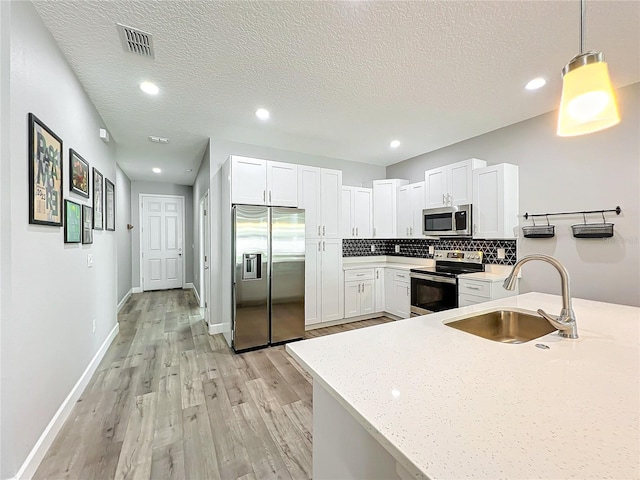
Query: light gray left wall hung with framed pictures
x=47 y=339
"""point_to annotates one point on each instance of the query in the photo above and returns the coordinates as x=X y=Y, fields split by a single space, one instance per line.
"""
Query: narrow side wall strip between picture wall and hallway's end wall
x=123 y=217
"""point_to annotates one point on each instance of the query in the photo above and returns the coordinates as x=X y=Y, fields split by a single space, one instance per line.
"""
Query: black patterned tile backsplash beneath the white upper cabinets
x=419 y=247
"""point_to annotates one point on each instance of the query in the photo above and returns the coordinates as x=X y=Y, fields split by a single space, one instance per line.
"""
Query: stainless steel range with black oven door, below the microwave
x=434 y=289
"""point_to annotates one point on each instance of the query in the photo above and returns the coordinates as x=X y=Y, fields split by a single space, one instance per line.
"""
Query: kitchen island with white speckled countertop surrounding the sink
x=418 y=399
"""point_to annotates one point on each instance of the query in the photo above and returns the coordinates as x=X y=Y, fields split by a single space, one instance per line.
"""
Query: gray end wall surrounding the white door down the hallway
x=154 y=188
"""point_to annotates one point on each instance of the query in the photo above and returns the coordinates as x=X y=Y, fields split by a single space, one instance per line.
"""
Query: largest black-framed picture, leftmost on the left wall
x=45 y=174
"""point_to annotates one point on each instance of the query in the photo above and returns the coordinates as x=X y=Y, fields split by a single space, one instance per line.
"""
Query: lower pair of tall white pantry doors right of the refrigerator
x=324 y=290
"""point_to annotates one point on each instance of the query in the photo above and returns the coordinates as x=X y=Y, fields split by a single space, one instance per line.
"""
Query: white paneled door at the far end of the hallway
x=162 y=242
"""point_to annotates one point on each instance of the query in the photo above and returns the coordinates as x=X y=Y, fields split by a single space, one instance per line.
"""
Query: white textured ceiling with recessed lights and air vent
x=341 y=79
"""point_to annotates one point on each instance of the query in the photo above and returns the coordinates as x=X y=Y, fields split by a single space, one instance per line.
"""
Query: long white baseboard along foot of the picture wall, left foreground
x=43 y=444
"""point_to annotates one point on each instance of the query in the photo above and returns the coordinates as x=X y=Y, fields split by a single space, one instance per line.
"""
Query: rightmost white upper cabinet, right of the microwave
x=495 y=201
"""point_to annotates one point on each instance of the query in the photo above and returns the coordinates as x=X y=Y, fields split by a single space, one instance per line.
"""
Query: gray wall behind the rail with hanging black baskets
x=597 y=171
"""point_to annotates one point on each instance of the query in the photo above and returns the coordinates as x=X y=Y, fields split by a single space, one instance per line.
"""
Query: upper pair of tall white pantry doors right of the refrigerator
x=320 y=194
